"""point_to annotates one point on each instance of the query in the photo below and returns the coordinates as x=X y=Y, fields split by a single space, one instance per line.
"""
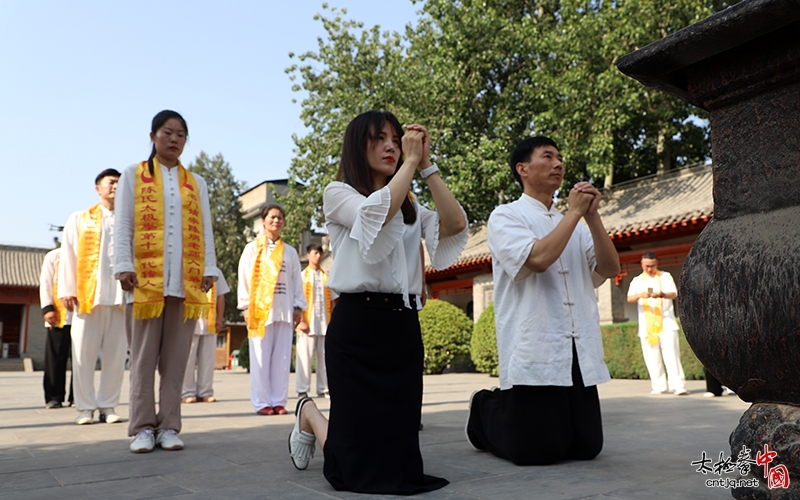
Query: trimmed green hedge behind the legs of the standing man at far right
x=624 y=357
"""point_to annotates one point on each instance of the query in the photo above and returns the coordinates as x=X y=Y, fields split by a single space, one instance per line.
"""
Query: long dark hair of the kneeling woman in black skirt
x=354 y=168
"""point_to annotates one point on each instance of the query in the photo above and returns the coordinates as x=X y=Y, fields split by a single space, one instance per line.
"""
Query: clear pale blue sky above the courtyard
x=81 y=80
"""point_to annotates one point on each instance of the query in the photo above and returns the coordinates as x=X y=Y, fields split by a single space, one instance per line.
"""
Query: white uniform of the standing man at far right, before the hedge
x=667 y=346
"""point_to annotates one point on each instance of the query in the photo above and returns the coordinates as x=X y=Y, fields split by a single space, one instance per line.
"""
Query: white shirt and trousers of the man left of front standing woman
x=102 y=329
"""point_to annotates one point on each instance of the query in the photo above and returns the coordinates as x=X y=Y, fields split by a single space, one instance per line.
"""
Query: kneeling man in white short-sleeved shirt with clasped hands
x=545 y=267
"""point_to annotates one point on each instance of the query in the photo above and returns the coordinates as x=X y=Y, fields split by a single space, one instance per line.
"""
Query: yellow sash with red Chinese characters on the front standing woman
x=148 y=244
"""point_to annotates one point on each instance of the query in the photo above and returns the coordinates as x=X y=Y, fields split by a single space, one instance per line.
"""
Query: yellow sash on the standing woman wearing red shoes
x=262 y=285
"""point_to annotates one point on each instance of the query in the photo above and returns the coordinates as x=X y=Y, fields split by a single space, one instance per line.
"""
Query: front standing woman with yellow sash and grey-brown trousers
x=165 y=262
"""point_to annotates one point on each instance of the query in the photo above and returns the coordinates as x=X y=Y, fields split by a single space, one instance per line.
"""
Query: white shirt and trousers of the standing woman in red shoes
x=271 y=355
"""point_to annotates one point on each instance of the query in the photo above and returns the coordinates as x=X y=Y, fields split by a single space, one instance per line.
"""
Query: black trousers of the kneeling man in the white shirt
x=538 y=425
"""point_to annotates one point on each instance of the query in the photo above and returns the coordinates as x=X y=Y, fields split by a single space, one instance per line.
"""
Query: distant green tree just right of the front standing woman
x=230 y=228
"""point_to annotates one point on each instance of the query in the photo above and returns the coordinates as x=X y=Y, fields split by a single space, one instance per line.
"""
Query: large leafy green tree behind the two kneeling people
x=484 y=74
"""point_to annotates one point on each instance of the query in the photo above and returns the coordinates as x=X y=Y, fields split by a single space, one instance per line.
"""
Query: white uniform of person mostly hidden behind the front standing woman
x=203 y=354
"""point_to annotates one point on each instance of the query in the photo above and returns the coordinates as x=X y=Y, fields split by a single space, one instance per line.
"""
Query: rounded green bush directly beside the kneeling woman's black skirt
x=446 y=333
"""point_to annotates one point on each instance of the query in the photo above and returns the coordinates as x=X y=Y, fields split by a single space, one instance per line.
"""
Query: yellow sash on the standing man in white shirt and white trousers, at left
x=90 y=225
